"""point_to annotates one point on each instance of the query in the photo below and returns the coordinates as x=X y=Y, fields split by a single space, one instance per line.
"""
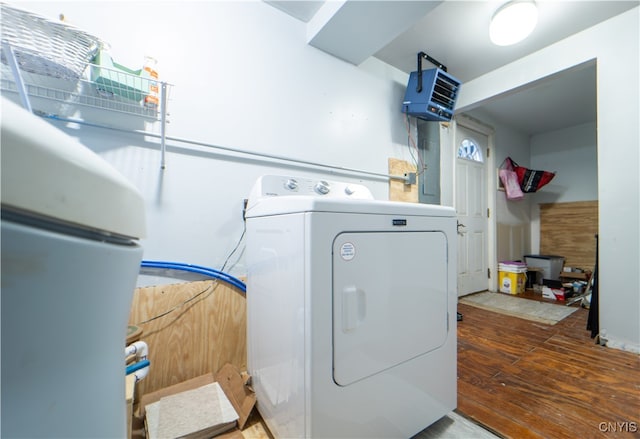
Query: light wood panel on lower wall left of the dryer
x=191 y=329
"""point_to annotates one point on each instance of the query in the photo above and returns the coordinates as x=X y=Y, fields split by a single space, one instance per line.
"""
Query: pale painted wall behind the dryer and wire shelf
x=244 y=78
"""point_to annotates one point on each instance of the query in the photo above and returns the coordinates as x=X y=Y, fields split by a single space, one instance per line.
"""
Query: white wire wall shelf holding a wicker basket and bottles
x=55 y=63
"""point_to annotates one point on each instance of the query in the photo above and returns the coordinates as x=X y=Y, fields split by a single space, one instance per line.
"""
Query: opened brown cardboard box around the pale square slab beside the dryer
x=234 y=385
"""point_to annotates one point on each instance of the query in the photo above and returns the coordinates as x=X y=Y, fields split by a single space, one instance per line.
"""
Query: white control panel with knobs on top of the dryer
x=275 y=185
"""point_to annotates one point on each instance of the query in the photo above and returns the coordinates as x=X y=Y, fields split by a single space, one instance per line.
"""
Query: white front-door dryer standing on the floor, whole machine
x=351 y=310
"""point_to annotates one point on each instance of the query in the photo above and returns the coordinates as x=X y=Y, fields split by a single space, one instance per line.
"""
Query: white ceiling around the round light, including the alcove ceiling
x=456 y=33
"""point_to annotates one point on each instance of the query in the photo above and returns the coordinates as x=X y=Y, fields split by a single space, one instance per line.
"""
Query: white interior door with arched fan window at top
x=471 y=208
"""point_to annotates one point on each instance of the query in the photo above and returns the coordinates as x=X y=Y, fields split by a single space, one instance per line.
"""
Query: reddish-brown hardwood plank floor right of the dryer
x=522 y=379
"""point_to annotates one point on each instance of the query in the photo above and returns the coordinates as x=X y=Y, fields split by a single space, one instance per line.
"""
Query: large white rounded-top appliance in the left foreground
x=70 y=261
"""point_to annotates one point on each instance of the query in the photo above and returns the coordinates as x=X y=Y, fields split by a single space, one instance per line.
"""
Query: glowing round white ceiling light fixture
x=513 y=22
